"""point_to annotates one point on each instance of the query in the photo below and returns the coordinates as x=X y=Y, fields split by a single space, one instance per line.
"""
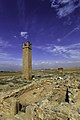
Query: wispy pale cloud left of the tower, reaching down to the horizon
x=7 y=59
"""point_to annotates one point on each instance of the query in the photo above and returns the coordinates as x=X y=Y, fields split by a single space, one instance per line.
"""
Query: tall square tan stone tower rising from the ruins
x=27 y=61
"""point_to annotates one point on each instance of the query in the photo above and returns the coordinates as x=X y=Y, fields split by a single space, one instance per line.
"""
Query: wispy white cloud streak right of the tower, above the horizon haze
x=69 y=52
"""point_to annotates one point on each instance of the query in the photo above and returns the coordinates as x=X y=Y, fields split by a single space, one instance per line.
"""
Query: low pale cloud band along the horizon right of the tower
x=55 y=64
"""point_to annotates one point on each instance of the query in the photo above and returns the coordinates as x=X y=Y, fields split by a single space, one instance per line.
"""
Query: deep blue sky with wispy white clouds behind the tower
x=52 y=26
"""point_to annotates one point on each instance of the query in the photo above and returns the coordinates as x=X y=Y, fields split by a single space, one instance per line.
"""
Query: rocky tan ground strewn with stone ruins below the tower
x=46 y=97
